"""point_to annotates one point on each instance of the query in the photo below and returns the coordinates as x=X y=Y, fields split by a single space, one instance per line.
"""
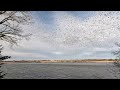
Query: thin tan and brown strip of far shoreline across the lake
x=61 y=61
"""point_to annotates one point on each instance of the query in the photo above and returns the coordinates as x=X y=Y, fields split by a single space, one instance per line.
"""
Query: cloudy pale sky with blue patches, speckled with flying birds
x=68 y=35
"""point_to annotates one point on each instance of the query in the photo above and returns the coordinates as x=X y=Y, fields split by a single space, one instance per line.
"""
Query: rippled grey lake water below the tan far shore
x=58 y=71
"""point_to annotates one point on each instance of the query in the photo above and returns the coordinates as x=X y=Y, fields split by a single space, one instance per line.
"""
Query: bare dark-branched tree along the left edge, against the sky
x=11 y=30
